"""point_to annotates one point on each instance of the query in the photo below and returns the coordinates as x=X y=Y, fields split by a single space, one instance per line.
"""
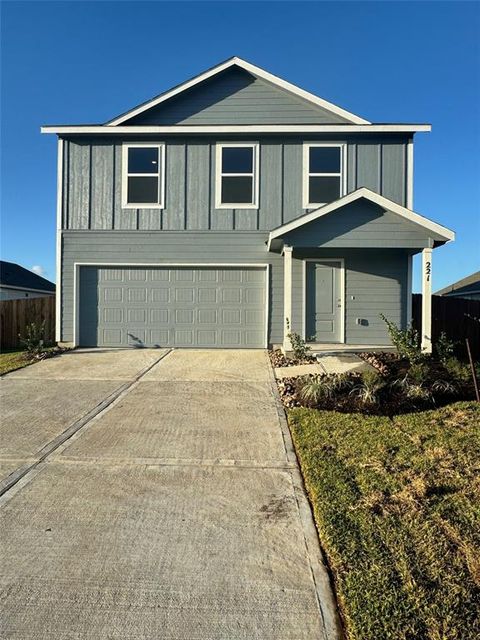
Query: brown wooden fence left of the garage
x=15 y=315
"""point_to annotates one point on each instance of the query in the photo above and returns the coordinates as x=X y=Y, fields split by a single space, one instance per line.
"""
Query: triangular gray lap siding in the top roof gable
x=236 y=97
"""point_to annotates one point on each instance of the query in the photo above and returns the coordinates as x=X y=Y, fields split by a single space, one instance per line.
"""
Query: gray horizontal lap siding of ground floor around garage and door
x=375 y=280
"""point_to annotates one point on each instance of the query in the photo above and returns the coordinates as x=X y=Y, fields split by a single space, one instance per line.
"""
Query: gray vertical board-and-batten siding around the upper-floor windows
x=92 y=182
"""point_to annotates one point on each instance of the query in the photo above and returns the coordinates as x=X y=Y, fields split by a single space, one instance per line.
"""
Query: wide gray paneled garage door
x=175 y=307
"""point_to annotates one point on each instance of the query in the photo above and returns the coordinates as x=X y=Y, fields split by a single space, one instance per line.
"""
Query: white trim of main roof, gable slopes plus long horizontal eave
x=342 y=120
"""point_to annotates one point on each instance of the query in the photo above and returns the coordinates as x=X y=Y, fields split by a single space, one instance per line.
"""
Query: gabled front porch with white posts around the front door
x=349 y=263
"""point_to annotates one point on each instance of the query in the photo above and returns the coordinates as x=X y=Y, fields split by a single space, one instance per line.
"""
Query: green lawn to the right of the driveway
x=397 y=507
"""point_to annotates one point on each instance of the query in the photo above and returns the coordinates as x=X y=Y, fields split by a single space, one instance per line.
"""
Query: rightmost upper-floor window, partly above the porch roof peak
x=323 y=173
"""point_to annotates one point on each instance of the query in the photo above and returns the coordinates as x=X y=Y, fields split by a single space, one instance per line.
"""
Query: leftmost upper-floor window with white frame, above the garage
x=143 y=176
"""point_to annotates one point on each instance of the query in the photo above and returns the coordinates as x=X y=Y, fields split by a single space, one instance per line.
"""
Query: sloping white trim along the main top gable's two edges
x=254 y=70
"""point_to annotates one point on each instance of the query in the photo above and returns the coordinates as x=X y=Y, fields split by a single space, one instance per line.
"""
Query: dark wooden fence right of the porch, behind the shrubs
x=458 y=318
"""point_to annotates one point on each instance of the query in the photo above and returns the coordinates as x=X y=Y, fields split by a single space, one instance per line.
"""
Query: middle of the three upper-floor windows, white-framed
x=237 y=176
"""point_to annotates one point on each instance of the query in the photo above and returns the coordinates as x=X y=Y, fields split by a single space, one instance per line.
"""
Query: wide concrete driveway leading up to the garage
x=153 y=494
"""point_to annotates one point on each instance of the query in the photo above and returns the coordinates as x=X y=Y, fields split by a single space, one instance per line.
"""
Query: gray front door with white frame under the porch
x=323 y=301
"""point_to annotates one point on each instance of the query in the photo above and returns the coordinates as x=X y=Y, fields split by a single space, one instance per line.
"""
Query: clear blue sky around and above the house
x=80 y=62
